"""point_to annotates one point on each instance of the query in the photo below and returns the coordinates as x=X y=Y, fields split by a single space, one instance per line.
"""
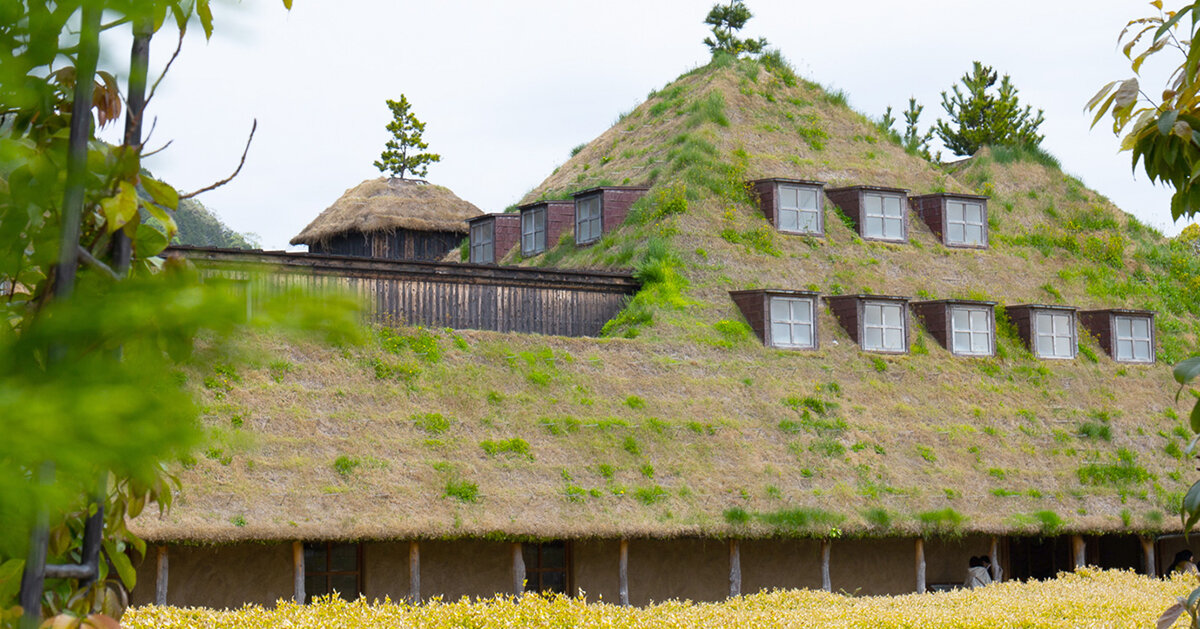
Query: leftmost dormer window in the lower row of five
x=781 y=319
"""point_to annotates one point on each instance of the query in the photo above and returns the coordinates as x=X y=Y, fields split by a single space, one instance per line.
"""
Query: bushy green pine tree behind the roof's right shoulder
x=980 y=118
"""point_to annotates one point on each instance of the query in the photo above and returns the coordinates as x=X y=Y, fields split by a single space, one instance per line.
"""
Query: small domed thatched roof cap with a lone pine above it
x=386 y=205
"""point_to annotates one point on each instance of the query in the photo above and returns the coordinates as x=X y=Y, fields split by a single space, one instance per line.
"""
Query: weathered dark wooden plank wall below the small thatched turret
x=437 y=295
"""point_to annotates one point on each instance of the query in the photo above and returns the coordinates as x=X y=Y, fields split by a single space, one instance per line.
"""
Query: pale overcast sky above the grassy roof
x=507 y=89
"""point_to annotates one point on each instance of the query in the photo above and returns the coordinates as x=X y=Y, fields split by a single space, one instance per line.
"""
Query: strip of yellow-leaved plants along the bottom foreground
x=1084 y=600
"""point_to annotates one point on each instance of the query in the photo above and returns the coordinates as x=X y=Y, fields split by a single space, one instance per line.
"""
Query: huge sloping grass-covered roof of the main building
x=682 y=423
